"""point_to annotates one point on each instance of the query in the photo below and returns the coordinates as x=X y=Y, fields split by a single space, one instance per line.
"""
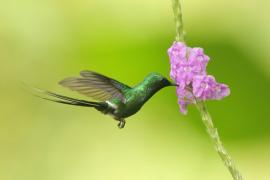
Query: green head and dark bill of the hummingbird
x=159 y=80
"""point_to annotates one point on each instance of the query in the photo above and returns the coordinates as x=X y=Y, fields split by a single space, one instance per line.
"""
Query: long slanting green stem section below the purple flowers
x=213 y=133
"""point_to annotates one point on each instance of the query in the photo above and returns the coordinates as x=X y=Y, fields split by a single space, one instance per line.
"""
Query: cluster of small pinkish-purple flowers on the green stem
x=188 y=70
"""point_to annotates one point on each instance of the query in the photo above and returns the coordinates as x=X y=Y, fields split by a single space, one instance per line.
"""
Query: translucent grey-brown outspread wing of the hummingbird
x=96 y=86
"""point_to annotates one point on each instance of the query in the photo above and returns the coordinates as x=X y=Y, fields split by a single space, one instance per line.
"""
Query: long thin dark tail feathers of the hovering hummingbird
x=50 y=96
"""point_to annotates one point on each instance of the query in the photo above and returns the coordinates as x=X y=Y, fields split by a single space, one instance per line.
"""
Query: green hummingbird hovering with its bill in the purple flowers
x=114 y=98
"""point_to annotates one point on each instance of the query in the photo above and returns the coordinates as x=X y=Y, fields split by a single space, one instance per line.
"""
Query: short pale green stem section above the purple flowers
x=178 y=20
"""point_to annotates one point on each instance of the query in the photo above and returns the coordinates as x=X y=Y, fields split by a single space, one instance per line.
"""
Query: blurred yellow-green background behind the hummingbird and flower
x=42 y=42
